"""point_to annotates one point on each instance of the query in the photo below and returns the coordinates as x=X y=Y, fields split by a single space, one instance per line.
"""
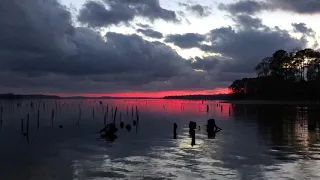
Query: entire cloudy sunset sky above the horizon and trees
x=145 y=47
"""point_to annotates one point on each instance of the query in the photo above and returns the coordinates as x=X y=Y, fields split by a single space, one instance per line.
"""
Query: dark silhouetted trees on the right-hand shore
x=285 y=75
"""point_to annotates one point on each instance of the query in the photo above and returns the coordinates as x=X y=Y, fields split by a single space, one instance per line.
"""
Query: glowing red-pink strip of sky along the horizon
x=158 y=94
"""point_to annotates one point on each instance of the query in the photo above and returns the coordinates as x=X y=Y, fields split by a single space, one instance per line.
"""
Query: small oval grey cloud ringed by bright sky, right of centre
x=188 y=40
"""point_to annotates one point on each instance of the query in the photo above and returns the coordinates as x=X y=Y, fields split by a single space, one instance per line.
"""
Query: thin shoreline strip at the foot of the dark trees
x=271 y=102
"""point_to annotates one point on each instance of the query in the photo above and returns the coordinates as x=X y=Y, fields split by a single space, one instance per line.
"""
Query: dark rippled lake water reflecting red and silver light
x=257 y=142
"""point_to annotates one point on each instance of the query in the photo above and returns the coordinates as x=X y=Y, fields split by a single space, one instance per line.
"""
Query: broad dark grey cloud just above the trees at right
x=242 y=48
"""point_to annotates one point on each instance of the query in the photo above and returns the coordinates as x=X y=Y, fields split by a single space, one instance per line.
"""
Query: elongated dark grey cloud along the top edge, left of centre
x=108 y=12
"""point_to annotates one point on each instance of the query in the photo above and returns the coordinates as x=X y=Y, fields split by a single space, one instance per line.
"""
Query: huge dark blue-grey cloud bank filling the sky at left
x=54 y=56
